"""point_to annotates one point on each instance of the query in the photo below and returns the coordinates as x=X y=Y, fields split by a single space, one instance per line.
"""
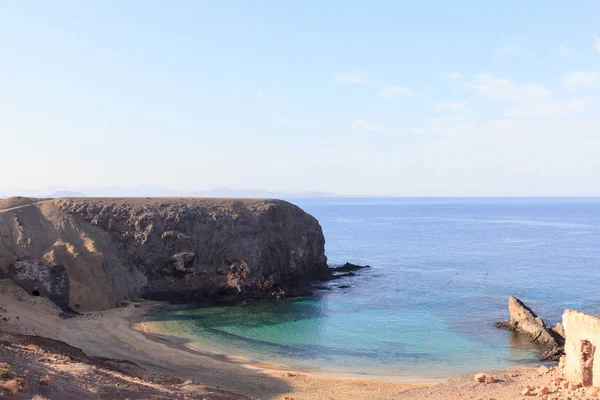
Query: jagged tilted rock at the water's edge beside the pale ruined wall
x=525 y=321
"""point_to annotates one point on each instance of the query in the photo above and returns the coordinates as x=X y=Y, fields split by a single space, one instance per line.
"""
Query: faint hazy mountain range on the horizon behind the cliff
x=152 y=191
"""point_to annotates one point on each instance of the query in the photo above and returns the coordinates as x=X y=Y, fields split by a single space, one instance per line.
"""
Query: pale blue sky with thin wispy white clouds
x=377 y=98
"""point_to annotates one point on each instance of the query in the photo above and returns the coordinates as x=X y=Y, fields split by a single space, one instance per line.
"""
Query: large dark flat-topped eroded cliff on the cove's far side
x=166 y=249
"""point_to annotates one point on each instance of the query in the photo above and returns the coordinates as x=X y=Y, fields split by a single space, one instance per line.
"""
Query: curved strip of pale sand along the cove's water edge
x=111 y=334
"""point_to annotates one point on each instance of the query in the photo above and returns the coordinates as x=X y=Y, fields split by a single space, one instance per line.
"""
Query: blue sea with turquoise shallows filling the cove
x=442 y=273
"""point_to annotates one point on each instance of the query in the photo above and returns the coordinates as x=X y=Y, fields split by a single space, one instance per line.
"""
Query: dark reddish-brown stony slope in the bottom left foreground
x=36 y=366
